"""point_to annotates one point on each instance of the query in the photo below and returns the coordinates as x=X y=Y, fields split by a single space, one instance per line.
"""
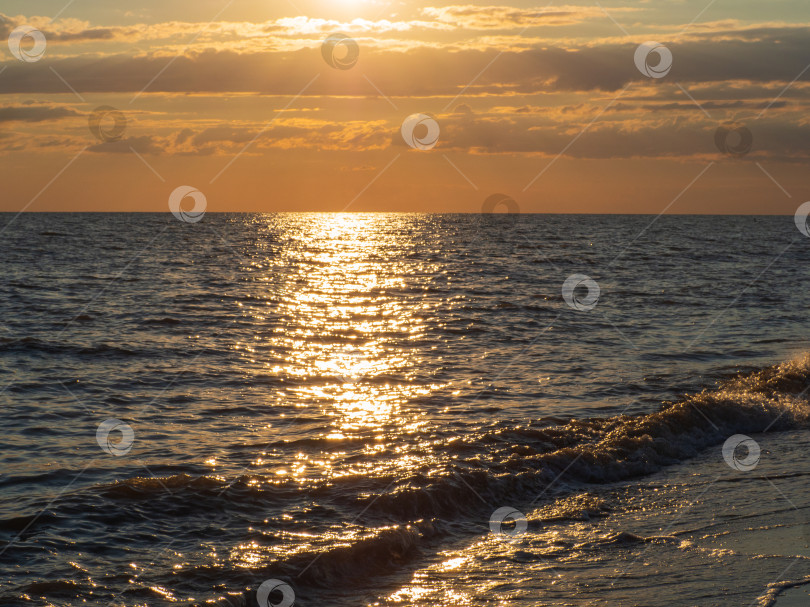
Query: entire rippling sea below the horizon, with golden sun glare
x=394 y=410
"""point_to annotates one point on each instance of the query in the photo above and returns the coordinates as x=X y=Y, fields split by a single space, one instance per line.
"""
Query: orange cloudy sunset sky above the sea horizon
x=557 y=108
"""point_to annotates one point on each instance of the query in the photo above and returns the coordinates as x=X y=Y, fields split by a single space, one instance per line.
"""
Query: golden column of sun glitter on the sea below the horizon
x=342 y=288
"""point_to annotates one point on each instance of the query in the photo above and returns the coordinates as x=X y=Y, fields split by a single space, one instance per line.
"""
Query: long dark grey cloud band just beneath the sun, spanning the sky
x=759 y=56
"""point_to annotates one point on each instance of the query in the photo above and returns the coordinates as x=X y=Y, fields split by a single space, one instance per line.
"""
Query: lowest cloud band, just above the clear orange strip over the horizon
x=666 y=130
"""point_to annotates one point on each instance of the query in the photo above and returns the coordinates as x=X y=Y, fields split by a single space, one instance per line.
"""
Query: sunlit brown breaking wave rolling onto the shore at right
x=526 y=461
